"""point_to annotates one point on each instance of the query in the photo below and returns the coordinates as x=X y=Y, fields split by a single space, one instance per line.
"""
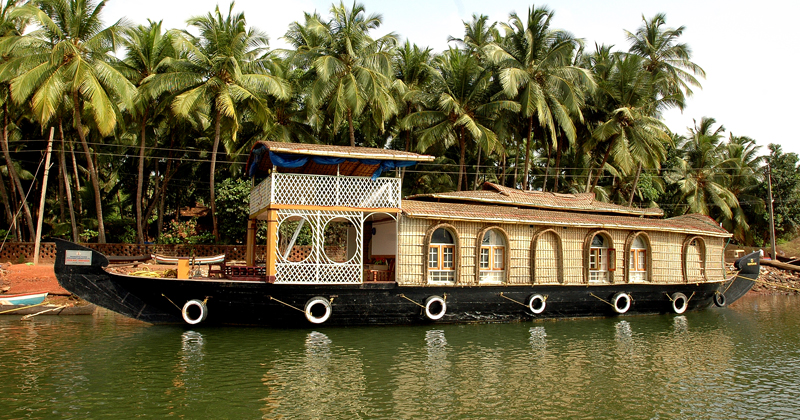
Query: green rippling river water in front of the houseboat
x=741 y=362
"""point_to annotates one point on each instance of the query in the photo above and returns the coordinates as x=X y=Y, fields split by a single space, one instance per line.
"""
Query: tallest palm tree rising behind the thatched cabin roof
x=537 y=72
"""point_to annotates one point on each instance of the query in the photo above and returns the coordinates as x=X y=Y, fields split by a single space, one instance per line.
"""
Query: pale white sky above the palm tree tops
x=728 y=39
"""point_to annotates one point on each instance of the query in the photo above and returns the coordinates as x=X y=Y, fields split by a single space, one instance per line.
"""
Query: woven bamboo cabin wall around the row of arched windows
x=665 y=253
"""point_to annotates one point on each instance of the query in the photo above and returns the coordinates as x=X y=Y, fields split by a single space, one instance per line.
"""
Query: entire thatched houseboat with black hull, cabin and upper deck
x=342 y=248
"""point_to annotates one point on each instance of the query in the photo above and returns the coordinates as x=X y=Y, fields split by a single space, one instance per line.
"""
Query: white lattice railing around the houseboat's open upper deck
x=325 y=190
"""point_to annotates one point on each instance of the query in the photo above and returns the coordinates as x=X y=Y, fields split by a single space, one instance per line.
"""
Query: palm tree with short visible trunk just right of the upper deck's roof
x=463 y=111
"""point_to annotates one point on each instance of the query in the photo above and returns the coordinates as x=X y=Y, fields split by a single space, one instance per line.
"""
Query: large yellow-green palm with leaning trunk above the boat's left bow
x=70 y=56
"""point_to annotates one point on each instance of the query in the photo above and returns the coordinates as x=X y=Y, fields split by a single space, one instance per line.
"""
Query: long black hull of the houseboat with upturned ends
x=157 y=300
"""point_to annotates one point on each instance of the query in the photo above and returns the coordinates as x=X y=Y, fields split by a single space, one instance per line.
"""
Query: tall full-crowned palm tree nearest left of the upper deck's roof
x=222 y=71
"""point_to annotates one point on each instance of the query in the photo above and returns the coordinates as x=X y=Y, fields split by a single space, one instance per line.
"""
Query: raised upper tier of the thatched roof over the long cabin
x=498 y=194
